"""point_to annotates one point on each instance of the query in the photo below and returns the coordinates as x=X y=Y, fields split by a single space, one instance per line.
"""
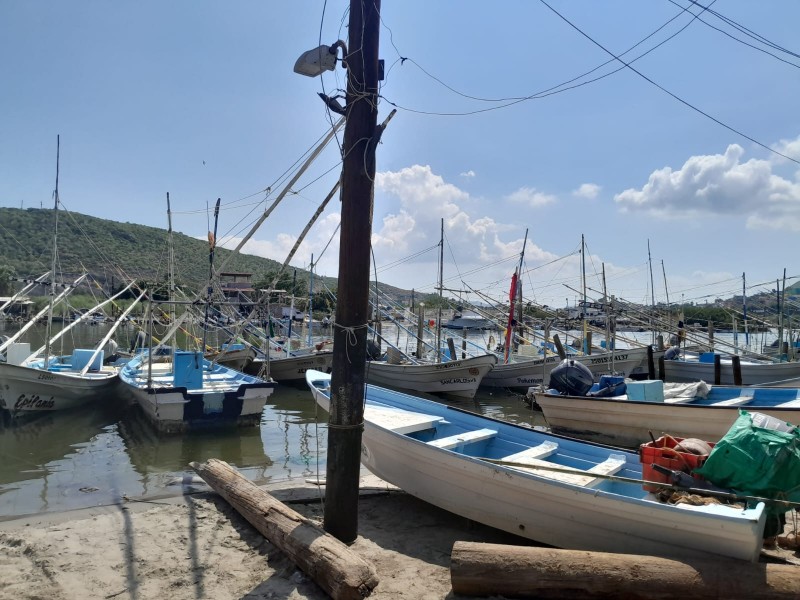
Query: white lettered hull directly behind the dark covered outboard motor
x=536 y=372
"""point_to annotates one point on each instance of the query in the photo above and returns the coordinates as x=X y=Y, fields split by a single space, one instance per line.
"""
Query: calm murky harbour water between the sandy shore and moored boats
x=102 y=453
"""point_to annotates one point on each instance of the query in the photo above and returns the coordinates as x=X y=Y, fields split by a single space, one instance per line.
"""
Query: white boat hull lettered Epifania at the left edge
x=28 y=390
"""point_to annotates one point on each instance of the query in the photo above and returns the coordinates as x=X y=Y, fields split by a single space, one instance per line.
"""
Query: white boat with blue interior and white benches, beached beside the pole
x=548 y=488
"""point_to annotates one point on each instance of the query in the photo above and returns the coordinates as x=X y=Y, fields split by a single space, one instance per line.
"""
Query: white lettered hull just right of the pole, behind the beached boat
x=459 y=378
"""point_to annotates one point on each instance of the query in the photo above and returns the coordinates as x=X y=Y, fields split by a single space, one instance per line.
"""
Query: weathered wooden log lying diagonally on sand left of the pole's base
x=339 y=571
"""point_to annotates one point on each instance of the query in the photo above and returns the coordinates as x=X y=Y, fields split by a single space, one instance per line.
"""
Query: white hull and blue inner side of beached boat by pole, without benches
x=544 y=509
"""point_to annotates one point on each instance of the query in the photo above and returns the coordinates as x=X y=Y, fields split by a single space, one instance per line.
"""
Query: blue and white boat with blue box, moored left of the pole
x=181 y=390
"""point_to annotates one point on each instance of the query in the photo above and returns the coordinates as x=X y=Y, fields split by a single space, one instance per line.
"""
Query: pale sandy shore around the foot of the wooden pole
x=196 y=546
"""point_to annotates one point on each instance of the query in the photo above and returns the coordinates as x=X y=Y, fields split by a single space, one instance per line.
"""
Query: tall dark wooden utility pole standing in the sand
x=352 y=306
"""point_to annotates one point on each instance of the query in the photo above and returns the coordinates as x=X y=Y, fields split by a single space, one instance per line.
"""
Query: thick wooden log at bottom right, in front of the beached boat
x=529 y=572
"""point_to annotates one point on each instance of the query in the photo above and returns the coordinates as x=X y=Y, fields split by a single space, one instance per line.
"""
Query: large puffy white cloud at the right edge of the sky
x=719 y=184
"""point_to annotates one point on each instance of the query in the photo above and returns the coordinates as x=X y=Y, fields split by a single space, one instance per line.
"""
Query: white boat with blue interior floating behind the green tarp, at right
x=691 y=410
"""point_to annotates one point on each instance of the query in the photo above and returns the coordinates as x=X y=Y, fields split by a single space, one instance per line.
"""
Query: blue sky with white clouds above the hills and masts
x=200 y=100
